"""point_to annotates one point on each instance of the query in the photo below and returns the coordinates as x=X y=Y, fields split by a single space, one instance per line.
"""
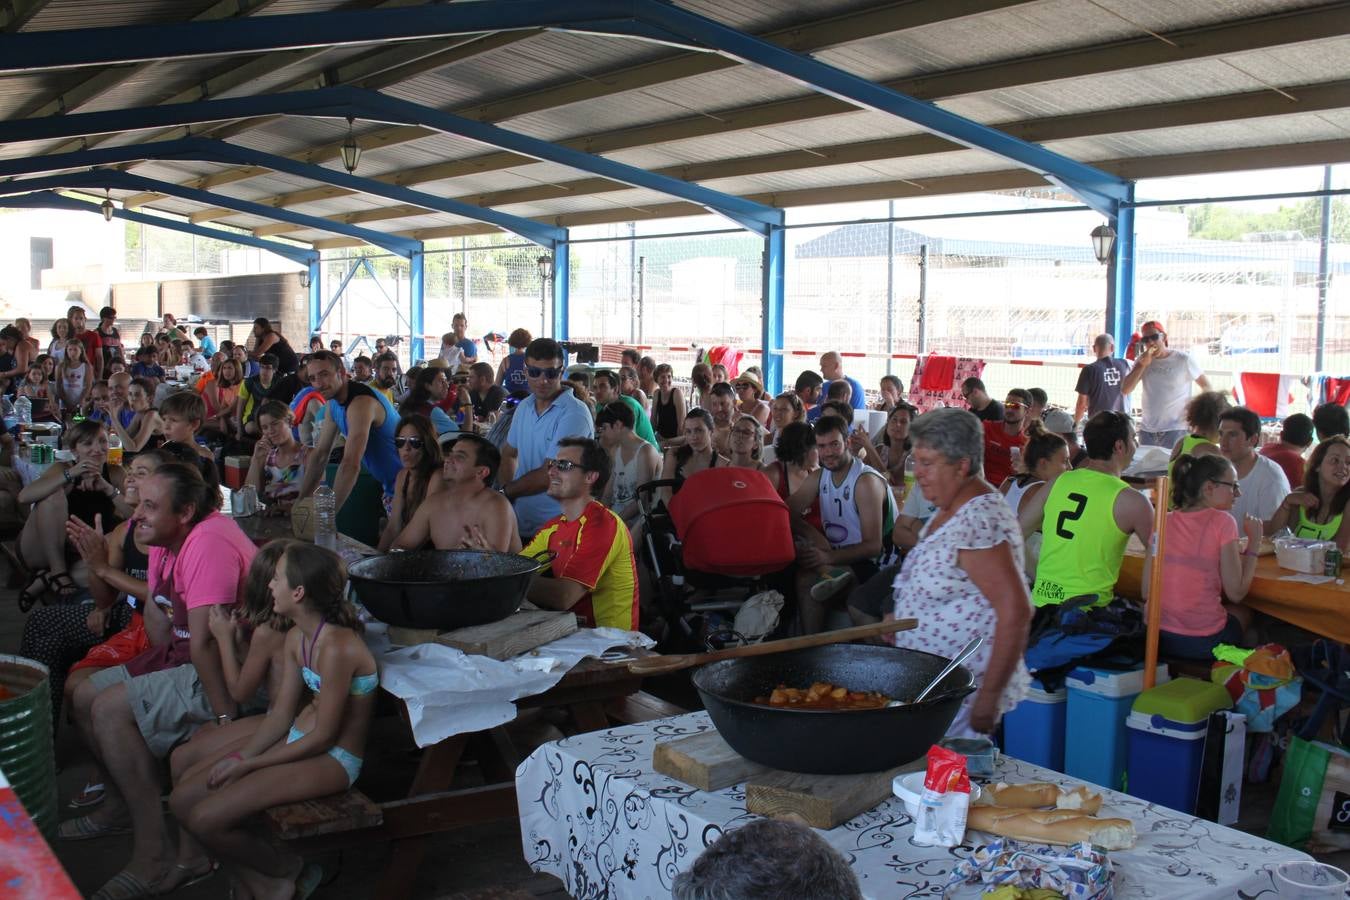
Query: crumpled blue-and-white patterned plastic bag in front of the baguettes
x=1024 y=871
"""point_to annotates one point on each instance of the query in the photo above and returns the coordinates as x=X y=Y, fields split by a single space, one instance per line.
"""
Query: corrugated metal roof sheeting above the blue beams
x=701 y=117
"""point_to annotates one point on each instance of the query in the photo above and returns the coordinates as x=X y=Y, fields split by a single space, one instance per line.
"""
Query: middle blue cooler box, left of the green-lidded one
x=1094 y=735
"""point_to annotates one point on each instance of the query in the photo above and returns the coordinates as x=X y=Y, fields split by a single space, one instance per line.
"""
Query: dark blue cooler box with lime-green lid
x=1167 y=732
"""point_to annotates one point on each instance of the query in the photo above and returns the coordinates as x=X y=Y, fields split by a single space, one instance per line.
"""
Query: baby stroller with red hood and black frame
x=716 y=543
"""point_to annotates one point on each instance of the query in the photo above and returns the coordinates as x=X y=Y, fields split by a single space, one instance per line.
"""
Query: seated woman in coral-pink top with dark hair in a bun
x=1205 y=570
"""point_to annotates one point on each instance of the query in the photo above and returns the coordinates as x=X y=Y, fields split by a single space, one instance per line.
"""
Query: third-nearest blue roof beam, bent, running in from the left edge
x=206 y=150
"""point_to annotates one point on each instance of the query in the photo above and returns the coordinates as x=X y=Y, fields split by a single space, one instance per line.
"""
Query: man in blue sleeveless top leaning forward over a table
x=367 y=420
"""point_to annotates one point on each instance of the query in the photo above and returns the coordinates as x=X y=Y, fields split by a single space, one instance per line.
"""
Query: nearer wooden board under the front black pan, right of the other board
x=820 y=801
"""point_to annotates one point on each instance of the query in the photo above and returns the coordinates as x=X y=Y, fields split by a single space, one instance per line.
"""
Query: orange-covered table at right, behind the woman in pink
x=1317 y=608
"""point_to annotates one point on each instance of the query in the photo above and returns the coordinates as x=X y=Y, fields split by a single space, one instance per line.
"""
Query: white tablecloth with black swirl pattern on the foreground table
x=595 y=814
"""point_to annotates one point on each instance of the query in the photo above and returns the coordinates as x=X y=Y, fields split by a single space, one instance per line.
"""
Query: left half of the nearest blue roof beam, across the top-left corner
x=45 y=51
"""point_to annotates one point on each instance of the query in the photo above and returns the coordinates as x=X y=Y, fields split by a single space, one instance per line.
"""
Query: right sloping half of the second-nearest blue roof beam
x=747 y=214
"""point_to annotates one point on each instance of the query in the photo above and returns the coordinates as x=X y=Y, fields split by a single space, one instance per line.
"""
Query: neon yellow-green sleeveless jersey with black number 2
x=1082 y=547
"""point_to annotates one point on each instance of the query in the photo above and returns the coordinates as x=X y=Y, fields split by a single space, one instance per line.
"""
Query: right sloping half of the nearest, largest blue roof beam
x=1098 y=190
